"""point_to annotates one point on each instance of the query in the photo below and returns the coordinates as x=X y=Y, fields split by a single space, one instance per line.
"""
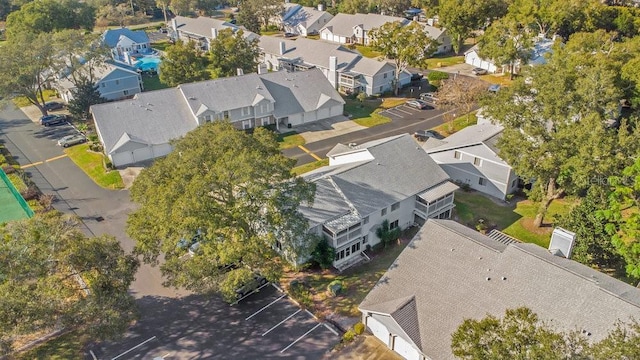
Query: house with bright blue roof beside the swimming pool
x=123 y=42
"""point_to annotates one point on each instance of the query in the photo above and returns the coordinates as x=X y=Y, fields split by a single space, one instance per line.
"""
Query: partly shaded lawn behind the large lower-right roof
x=515 y=219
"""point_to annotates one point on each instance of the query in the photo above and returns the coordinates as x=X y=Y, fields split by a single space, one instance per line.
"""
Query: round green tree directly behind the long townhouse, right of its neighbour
x=231 y=51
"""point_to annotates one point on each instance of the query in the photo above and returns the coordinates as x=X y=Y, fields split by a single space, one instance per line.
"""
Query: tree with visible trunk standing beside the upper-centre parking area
x=404 y=45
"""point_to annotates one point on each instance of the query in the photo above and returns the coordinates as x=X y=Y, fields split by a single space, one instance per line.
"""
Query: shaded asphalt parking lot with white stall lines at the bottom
x=266 y=324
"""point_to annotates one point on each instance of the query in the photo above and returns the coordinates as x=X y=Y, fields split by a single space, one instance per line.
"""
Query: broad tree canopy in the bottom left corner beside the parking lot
x=41 y=258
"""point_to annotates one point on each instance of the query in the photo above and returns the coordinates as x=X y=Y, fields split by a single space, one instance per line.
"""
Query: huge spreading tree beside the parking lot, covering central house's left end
x=235 y=190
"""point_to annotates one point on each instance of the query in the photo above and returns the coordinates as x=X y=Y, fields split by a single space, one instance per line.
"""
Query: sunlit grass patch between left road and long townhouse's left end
x=91 y=163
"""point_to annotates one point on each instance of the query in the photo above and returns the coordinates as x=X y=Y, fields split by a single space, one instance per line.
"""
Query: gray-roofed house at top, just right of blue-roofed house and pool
x=202 y=30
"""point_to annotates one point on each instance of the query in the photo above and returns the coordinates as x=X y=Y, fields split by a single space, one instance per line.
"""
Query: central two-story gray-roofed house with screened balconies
x=363 y=185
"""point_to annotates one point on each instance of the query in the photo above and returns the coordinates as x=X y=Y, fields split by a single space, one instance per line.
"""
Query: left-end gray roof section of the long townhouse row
x=154 y=117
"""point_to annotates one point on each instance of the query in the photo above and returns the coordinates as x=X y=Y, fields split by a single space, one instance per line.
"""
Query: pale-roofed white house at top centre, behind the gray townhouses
x=355 y=28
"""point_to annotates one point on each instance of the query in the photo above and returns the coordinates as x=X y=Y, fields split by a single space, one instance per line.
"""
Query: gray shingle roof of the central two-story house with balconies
x=370 y=185
